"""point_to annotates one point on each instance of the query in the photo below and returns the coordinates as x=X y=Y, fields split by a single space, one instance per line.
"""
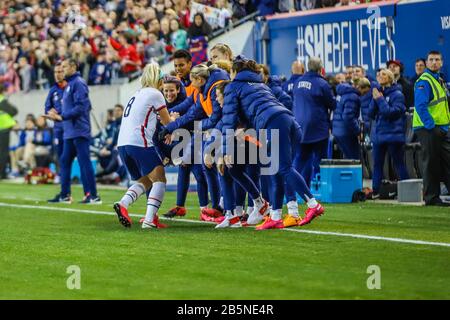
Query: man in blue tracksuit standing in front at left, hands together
x=77 y=134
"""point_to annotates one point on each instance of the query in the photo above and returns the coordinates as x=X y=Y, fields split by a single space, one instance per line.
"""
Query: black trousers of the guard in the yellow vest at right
x=436 y=161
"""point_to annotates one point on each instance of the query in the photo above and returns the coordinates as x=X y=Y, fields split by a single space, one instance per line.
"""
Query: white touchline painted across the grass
x=328 y=233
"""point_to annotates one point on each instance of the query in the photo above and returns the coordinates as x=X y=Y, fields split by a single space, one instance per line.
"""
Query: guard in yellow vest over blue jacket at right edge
x=431 y=122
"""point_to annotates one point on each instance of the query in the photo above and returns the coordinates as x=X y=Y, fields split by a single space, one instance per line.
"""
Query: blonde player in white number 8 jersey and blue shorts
x=137 y=151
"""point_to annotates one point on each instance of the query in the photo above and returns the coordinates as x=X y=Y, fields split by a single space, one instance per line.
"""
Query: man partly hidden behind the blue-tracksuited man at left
x=54 y=101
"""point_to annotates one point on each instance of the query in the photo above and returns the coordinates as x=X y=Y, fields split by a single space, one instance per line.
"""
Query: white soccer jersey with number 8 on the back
x=140 y=117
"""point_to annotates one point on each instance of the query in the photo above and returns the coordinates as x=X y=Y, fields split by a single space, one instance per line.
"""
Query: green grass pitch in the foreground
x=195 y=261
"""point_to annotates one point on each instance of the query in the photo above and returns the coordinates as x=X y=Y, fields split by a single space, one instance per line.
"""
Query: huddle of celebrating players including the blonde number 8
x=226 y=96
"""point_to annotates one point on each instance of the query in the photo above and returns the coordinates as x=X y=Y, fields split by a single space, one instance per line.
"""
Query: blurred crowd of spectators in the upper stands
x=112 y=40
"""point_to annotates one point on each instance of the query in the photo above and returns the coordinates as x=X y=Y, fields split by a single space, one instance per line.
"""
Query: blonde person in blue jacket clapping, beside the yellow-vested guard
x=387 y=109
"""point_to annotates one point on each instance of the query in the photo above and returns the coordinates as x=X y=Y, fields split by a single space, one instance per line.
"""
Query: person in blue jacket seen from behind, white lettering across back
x=313 y=101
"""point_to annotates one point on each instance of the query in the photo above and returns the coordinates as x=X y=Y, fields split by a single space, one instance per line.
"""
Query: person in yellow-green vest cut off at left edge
x=7 y=112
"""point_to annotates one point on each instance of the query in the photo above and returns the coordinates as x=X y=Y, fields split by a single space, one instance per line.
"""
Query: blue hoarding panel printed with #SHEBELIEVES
x=367 y=35
